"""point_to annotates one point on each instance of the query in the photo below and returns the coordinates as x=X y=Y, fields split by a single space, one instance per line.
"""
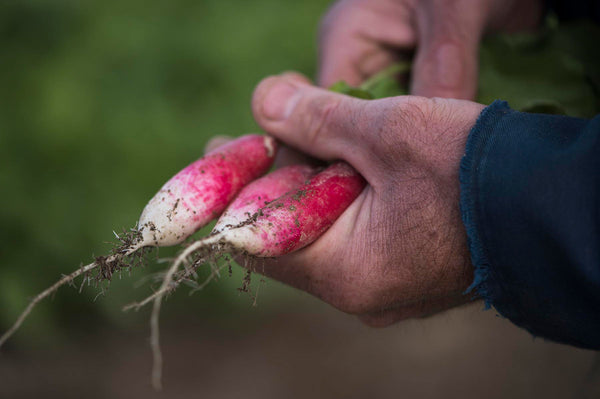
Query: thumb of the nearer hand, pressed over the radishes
x=314 y=120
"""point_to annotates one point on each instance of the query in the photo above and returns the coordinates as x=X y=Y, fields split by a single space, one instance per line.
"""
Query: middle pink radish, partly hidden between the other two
x=262 y=191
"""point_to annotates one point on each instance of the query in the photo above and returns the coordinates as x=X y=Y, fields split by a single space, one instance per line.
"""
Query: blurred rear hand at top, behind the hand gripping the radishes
x=360 y=37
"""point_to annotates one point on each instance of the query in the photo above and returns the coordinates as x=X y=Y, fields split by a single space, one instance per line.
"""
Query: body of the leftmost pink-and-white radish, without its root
x=200 y=192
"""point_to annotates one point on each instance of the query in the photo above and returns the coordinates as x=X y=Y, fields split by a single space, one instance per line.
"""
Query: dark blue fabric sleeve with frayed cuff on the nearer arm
x=530 y=201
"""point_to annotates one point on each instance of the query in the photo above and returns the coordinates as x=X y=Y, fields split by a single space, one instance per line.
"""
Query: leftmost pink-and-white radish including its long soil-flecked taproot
x=191 y=199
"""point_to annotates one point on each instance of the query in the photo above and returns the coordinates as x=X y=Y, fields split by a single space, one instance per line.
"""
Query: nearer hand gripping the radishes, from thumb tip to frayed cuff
x=400 y=250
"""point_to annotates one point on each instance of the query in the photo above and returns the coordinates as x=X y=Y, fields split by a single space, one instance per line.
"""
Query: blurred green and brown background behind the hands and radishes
x=100 y=103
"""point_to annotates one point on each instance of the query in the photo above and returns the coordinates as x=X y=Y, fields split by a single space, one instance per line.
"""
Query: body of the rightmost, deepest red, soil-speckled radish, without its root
x=299 y=217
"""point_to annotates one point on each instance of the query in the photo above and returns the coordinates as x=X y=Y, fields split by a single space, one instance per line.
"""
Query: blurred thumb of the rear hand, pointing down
x=446 y=62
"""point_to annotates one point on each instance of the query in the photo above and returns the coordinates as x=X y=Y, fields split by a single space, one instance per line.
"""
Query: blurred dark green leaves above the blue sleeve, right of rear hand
x=555 y=71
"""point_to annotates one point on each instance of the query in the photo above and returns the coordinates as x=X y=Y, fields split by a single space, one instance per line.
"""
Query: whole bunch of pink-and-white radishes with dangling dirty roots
x=260 y=216
